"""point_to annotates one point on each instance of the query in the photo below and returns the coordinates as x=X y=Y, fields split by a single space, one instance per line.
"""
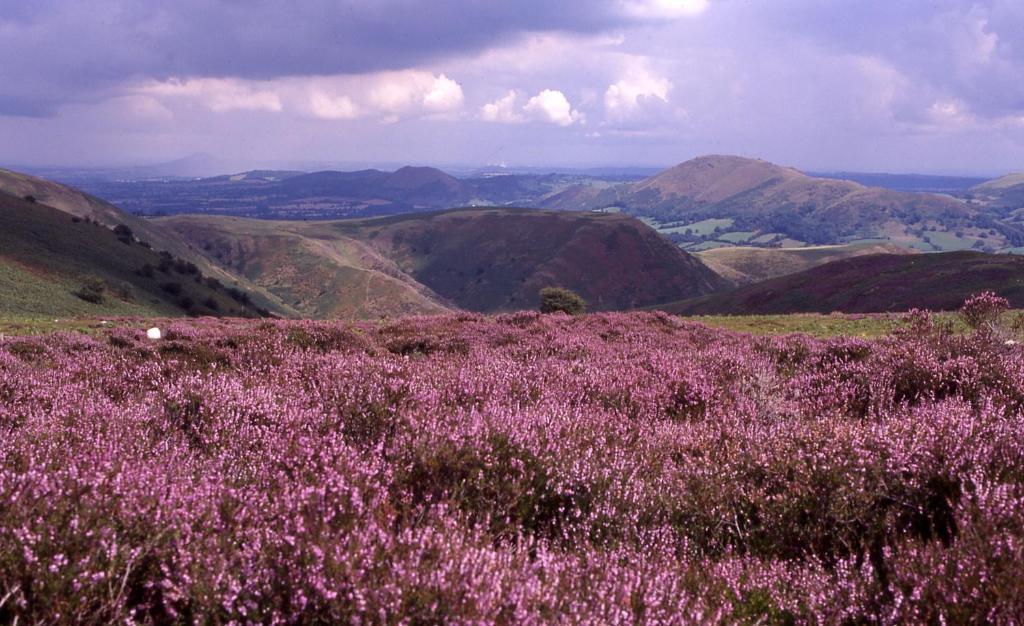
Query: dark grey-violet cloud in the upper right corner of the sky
x=967 y=50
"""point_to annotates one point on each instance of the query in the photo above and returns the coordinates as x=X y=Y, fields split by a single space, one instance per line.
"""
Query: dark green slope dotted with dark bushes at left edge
x=56 y=265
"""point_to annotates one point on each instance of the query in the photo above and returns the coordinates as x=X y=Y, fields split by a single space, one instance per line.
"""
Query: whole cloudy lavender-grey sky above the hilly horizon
x=932 y=87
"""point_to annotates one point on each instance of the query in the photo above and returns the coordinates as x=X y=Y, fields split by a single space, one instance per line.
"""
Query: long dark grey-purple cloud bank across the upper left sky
x=59 y=52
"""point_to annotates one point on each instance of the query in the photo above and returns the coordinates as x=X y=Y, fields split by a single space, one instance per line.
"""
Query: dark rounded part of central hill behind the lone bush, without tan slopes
x=498 y=260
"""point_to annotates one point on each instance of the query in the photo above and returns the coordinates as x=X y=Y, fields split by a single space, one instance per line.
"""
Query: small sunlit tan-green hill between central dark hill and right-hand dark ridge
x=745 y=266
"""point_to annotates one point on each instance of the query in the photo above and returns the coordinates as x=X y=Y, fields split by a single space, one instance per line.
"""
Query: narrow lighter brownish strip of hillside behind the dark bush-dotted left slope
x=77 y=203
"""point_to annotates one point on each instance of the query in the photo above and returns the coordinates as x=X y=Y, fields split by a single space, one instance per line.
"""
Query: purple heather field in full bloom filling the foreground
x=619 y=469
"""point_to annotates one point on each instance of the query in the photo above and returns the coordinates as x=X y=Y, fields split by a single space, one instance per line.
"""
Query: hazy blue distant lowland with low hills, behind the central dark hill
x=339 y=195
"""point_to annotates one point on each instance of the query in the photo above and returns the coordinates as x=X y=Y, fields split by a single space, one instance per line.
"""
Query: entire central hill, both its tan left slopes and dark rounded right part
x=480 y=260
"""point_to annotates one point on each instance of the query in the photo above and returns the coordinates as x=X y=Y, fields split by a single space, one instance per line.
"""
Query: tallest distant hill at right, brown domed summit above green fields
x=756 y=199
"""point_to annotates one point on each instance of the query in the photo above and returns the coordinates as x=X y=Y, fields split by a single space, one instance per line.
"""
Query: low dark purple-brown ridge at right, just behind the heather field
x=874 y=284
